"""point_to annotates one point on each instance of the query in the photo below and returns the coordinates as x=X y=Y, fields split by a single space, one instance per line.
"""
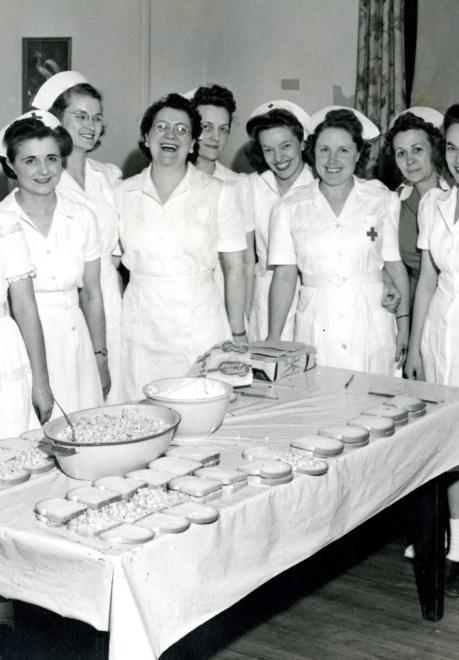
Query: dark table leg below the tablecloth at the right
x=429 y=546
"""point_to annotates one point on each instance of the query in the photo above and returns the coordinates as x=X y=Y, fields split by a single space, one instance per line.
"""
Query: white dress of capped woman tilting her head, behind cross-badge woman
x=261 y=193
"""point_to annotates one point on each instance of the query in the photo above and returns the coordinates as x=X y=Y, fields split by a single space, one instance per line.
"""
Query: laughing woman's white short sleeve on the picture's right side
x=230 y=223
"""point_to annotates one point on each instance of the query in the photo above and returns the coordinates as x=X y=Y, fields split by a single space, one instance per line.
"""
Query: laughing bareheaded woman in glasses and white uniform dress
x=174 y=223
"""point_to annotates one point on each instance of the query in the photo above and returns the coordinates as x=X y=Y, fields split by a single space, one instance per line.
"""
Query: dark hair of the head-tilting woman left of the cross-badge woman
x=275 y=118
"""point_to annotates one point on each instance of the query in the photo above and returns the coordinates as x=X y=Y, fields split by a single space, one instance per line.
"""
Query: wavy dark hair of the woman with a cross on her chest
x=347 y=121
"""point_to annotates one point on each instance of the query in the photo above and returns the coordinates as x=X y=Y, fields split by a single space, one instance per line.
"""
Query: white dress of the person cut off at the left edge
x=16 y=413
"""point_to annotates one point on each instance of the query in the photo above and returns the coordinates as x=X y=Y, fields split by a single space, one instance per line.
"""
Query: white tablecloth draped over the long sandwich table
x=153 y=594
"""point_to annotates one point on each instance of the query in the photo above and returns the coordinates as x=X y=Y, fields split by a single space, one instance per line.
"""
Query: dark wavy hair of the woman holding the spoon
x=30 y=128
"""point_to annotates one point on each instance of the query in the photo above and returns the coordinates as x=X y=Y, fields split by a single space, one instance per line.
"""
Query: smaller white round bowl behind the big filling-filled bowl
x=200 y=416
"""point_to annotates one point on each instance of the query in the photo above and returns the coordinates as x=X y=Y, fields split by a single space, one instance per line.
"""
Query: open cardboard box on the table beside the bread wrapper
x=273 y=360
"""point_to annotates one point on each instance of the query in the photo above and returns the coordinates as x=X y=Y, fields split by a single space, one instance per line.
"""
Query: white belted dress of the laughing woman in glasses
x=172 y=308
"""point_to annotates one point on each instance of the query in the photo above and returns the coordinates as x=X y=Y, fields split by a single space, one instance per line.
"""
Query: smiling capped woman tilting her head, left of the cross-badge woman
x=277 y=130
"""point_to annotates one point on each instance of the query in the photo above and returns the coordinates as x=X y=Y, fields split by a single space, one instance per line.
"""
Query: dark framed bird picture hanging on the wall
x=42 y=57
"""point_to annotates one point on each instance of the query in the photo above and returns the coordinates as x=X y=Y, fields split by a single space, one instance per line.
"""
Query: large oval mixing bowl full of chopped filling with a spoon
x=92 y=460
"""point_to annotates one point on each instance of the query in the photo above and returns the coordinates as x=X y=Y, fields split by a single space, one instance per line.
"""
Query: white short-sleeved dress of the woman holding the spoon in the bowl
x=59 y=259
